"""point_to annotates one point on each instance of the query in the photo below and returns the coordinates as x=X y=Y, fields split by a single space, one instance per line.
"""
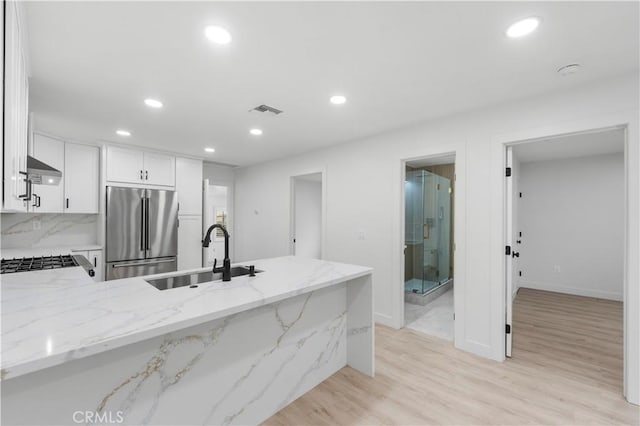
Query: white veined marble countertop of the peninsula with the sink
x=52 y=317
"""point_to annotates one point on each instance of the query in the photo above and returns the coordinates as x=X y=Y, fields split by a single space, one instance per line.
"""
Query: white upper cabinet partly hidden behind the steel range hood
x=49 y=198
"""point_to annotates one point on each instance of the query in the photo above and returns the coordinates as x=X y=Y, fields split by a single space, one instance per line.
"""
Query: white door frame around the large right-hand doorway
x=631 y=294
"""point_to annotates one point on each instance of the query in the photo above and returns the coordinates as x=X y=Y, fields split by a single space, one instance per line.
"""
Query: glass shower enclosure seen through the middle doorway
x=427 y=231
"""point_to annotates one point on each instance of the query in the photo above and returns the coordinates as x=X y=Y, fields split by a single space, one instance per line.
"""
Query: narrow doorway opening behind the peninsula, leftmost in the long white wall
x=307 y=216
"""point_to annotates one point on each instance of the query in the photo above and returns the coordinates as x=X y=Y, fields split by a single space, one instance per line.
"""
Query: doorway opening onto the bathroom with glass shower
x=429 y=211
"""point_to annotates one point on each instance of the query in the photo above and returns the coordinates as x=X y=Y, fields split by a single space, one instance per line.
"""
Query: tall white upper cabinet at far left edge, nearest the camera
x=16 y=112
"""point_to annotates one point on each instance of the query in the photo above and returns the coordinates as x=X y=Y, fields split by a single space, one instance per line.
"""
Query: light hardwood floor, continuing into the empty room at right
x=566 y=369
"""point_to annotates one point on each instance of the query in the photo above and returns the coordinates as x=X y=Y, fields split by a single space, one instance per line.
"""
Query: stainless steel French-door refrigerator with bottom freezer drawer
x=141 y=233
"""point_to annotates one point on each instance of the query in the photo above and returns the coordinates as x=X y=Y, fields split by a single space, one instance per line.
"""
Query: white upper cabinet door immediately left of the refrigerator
x=81 y=178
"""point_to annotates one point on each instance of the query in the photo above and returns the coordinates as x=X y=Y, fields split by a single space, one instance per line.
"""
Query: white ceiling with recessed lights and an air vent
x=93 y=63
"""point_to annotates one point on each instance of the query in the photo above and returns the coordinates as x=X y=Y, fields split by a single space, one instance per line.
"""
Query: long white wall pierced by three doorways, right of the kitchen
x=364 y=191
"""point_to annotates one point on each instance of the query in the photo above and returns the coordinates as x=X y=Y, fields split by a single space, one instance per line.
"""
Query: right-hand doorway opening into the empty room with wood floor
x=565 y=248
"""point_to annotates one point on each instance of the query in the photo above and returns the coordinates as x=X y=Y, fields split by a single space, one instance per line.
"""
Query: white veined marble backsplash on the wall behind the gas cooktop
x=25 y=230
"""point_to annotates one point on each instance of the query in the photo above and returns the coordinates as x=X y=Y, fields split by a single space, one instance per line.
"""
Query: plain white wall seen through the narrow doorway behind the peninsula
x=308 y=218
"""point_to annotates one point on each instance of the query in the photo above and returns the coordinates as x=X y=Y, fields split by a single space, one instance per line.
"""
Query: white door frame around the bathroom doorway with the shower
x=460 y=233
